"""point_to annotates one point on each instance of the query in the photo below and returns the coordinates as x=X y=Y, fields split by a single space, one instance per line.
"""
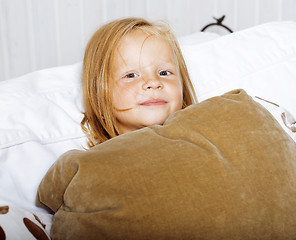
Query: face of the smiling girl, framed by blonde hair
x=147 y=87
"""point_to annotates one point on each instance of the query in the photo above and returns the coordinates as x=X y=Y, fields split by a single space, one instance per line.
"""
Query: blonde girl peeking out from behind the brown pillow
x=134 y=76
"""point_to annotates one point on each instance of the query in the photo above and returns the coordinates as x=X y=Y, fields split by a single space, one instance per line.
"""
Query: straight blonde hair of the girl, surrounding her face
x=98 y=122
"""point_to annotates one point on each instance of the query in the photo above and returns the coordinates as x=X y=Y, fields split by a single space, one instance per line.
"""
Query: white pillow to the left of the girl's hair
x=40 y=120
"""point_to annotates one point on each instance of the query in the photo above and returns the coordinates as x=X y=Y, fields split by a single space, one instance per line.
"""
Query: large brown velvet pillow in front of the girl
x=220 y=169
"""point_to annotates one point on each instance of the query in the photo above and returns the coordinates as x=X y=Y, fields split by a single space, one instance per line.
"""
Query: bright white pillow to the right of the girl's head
x=261 y=60
